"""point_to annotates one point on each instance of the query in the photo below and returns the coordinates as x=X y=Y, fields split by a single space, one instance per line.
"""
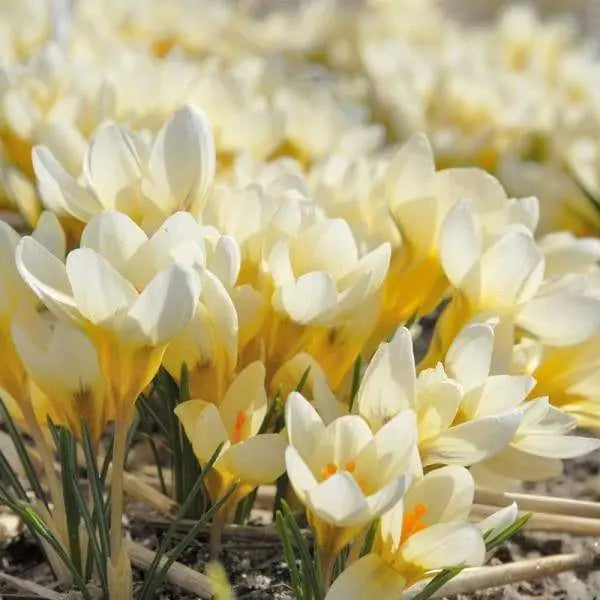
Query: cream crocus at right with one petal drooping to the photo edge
x=502 y=275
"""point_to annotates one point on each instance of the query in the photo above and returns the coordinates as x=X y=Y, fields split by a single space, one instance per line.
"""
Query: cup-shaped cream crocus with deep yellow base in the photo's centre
x=323 y=296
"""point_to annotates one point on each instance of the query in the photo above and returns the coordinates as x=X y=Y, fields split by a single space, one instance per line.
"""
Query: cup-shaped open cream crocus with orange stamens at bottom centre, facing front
x=343 y=474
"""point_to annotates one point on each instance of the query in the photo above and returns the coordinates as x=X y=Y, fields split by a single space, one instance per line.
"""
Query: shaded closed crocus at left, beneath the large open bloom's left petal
x=62 y=362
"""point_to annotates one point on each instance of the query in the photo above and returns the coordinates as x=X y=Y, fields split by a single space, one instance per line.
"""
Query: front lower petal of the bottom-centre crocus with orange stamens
x=339 y=501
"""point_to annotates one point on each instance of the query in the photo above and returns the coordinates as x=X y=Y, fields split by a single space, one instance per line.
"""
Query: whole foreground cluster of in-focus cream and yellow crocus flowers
x=160 y=253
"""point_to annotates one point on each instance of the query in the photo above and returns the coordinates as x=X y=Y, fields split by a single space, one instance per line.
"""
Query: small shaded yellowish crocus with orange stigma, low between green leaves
x=247 y=456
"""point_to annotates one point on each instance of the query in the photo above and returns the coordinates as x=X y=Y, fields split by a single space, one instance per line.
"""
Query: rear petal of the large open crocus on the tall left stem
x=115 y=236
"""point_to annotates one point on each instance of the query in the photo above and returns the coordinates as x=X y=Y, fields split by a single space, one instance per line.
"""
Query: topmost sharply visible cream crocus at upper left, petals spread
x=126 y=171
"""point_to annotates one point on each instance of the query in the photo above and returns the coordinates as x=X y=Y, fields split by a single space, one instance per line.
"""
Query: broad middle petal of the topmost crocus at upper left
x=113 y=167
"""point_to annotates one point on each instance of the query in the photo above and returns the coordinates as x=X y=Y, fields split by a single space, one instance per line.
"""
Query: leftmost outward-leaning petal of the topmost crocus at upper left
x=59 y=190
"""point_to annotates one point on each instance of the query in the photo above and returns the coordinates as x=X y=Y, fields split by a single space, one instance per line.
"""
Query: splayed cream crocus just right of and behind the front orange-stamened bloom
x=390 y=385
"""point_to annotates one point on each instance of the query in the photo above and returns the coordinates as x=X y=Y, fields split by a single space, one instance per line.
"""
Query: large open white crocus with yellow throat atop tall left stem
x=129 y=326
